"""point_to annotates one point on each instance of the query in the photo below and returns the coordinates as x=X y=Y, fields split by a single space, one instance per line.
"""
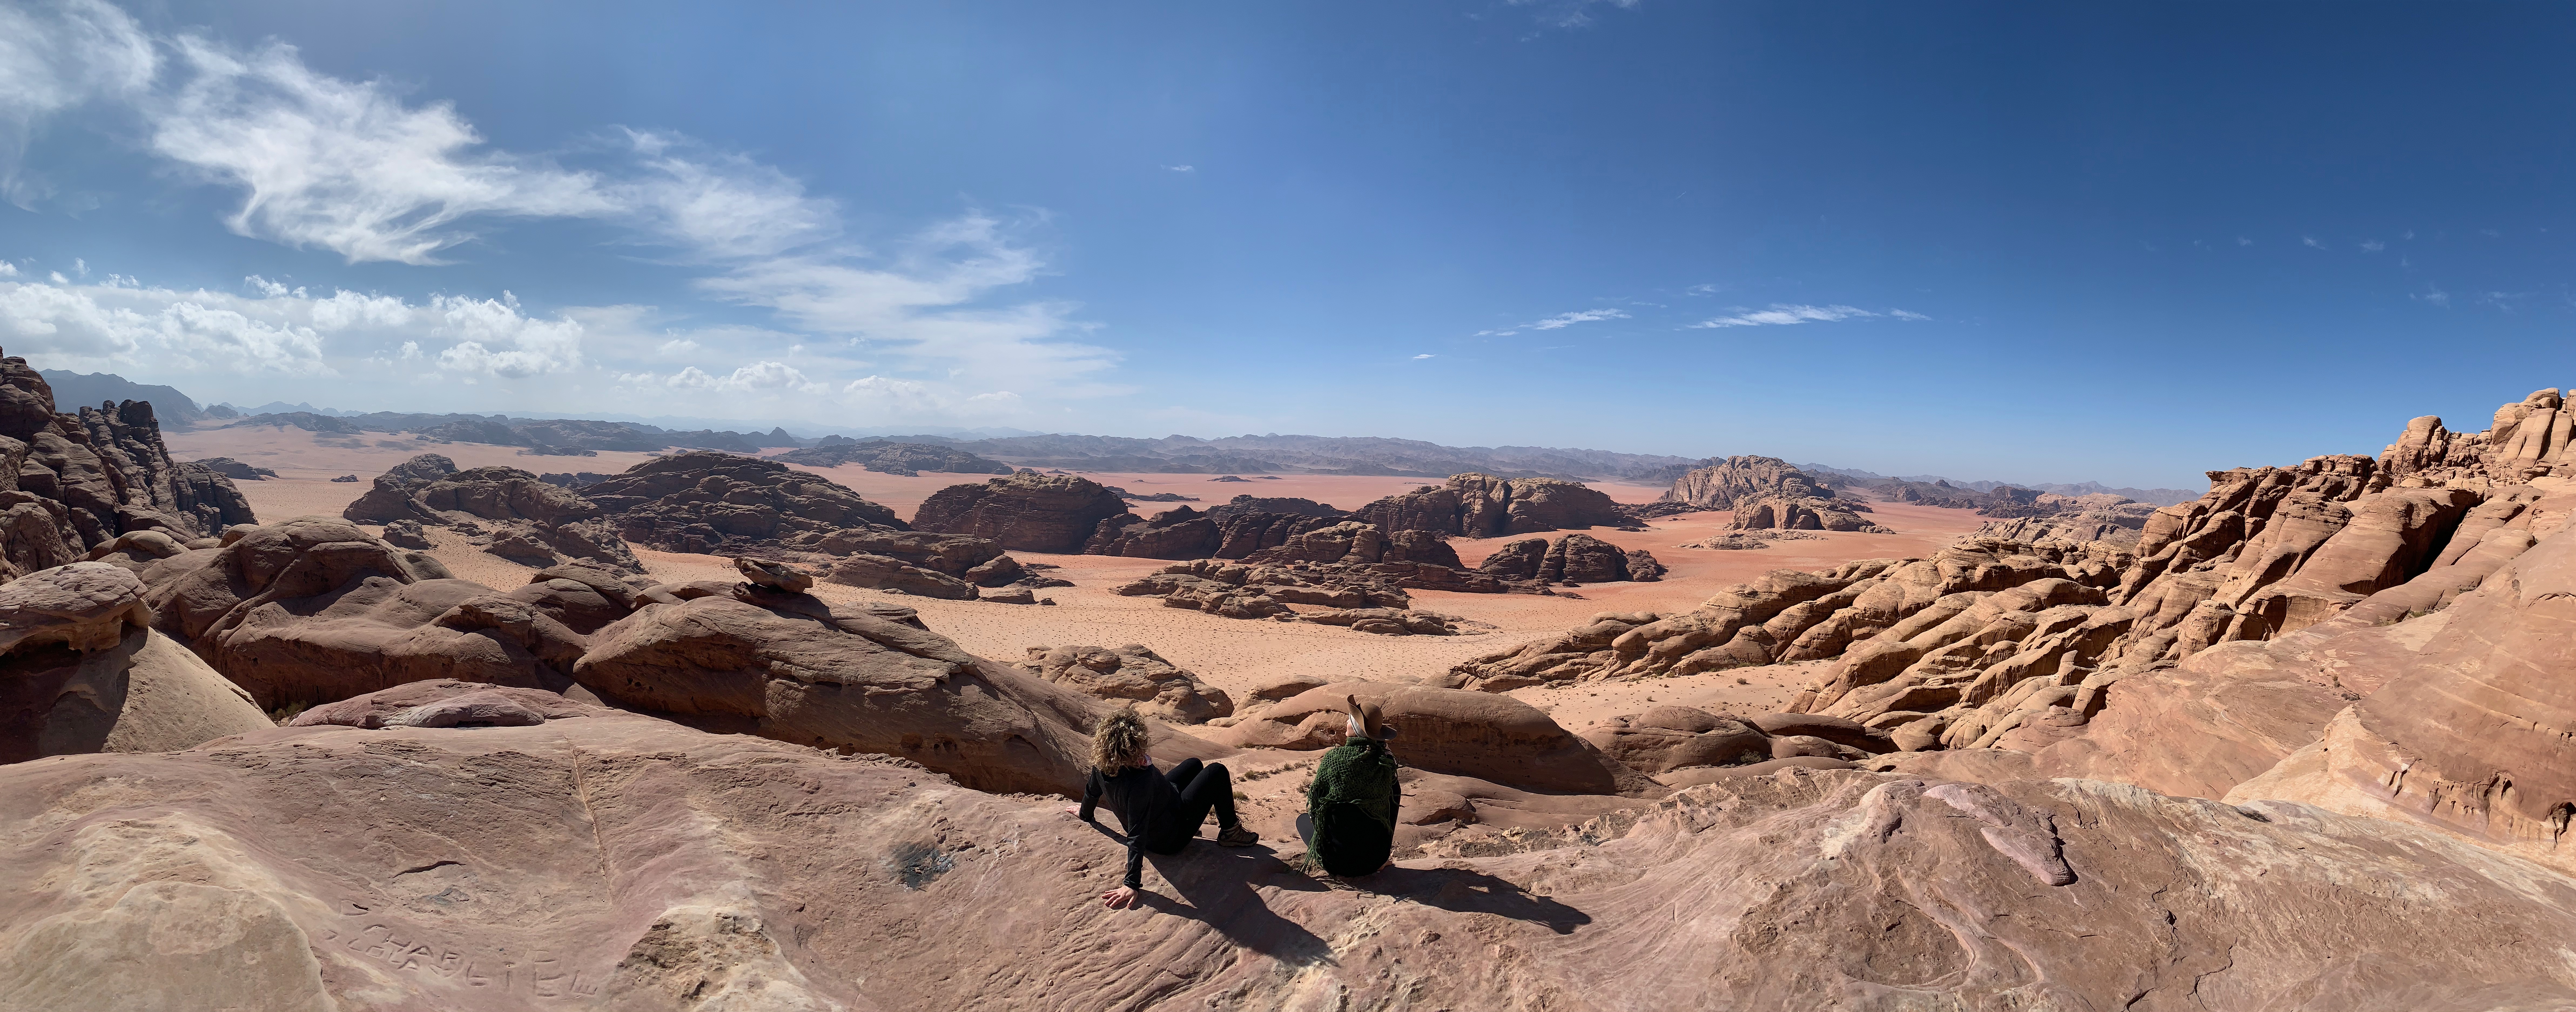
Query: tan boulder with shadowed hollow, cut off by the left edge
x=81 y=671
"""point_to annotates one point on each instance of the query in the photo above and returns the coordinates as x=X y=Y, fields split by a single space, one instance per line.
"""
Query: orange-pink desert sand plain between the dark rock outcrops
x=1233 y=655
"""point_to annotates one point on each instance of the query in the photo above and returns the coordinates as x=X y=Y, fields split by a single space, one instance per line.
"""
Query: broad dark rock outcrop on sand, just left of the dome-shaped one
x=712 y=503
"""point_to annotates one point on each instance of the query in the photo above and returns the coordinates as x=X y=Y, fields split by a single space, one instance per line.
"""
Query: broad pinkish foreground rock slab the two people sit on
x=620 y=861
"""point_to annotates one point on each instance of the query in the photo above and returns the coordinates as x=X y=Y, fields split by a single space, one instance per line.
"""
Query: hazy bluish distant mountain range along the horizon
x=1171 y=454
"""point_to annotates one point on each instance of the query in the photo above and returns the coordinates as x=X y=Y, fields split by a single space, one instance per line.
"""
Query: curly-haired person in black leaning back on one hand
x=1160 y=812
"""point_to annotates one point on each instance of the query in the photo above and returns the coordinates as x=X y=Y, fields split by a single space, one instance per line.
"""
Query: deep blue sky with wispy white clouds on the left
x=2039 y=243
